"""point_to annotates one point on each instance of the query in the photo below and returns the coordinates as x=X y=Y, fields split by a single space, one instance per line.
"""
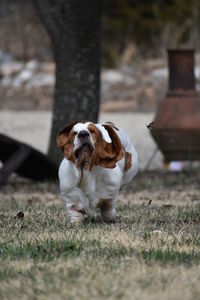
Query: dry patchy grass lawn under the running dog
x=152 y=251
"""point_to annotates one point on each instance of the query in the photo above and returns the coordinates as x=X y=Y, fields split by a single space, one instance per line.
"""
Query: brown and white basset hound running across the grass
x=99 y=160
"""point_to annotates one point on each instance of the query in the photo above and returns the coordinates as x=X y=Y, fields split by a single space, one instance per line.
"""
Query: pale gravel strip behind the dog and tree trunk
x=34 y=127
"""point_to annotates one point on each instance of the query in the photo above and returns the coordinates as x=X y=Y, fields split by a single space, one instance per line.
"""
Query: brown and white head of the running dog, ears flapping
x=87 y=144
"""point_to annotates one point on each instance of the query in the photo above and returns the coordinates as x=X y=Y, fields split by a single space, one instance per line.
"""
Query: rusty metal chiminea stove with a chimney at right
x=176 y=128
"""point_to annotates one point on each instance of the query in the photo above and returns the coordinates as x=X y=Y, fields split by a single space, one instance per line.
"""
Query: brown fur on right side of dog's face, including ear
x=105 y=154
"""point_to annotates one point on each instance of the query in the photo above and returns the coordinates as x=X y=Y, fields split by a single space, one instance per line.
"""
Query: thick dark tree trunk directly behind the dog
x=74 y=28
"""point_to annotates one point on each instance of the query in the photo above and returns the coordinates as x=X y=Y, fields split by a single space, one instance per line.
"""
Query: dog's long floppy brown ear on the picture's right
x=109 y=153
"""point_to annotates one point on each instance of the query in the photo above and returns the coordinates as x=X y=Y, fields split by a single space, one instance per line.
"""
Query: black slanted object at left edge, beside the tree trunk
x=24 y=160
